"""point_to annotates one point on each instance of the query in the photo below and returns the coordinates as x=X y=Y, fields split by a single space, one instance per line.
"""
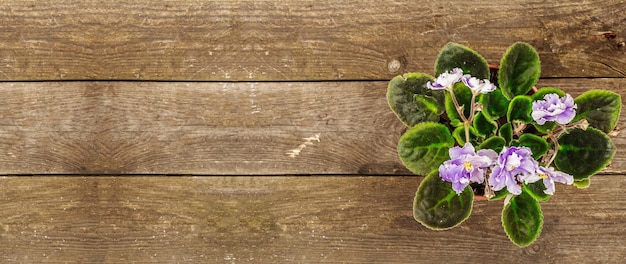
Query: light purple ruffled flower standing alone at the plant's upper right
x=552 y=108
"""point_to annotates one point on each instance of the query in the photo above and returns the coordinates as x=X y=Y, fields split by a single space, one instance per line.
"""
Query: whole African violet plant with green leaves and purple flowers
x=497 y=135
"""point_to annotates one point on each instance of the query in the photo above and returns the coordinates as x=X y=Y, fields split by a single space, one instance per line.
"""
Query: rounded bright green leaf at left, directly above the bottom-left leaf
x=424 y=147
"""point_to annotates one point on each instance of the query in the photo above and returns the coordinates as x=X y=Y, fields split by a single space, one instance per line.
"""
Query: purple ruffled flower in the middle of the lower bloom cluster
x=512 y=162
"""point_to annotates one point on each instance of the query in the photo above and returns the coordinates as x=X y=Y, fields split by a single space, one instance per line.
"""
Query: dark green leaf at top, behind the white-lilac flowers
x=454 y=55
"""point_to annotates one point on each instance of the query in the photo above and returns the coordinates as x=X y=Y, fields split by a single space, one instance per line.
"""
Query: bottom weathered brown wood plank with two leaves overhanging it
x=286 y=219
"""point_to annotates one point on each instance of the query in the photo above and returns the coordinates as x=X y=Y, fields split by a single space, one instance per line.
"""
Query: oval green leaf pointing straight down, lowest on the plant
x=522 y=219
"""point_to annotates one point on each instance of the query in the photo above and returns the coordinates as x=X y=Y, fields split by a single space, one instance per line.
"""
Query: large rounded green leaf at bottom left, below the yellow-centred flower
x=438 y=207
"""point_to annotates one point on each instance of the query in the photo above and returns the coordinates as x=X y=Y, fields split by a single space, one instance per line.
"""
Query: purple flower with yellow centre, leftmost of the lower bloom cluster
x=465 y=166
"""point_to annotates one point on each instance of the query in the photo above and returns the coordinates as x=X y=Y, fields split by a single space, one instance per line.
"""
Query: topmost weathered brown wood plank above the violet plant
x=296 y=40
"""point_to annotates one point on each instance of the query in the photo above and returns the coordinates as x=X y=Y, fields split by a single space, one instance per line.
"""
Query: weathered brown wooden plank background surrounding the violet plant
x=258 y=131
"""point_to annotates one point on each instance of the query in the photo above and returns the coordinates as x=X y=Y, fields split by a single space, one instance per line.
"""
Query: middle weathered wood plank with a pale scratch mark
x=212 y=128
